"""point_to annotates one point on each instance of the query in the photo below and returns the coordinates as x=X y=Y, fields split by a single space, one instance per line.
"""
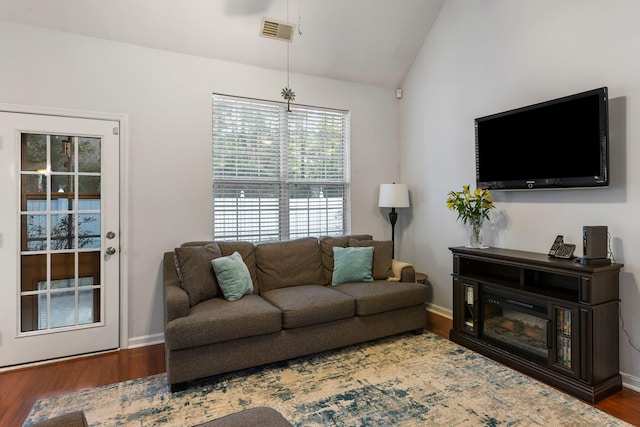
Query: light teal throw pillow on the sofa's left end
x=233 y=276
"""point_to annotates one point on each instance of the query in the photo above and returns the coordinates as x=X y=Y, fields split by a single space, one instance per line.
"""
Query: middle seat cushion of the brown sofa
x=310 y=304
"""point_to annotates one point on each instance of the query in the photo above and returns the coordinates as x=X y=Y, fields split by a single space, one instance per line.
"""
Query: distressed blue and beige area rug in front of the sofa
x=406 y=380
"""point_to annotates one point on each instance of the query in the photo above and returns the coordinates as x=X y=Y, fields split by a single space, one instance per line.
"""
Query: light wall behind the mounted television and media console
x=493 y=55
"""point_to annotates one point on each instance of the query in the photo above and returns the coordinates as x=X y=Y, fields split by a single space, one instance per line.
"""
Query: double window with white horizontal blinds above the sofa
x=278 y=175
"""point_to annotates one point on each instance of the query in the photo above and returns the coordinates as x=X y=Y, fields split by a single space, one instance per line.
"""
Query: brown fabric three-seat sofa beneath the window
x=294 y=309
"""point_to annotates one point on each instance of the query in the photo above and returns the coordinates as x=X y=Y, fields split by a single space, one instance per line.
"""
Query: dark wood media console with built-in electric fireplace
x=553 y=319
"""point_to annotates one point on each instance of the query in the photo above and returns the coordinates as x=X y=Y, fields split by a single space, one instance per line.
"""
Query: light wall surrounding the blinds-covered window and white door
x=167 y=98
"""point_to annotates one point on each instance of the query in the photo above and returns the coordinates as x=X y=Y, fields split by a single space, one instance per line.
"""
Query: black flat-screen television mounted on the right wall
x=562 y=143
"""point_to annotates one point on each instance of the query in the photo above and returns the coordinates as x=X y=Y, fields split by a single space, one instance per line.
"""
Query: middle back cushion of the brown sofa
x=290 y=263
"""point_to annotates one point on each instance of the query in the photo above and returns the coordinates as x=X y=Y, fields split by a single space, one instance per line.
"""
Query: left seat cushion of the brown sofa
x=218 y=320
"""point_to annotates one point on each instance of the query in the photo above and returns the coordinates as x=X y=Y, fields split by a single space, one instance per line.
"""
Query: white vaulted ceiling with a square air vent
x=366 y=41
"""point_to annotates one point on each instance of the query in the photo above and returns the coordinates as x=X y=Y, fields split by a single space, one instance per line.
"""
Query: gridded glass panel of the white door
x=60 y=214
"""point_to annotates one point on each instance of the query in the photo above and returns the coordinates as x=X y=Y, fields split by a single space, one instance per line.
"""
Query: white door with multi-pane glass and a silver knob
x=59 y=237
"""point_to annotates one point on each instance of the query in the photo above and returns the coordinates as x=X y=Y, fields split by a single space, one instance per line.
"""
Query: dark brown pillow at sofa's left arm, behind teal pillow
x=193 y=265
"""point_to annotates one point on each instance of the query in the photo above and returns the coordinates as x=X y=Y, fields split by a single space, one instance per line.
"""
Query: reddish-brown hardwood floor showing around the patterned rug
x=21 y=388
